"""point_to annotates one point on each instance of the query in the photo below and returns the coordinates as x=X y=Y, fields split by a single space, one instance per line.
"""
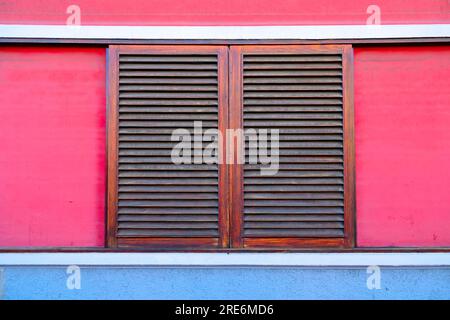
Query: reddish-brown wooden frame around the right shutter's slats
x=236 y=120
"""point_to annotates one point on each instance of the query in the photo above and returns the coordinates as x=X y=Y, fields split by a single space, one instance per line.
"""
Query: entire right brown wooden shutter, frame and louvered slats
x=304 y=91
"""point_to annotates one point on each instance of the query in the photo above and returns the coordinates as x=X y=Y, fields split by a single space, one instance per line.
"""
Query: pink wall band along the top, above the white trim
x=223 y=12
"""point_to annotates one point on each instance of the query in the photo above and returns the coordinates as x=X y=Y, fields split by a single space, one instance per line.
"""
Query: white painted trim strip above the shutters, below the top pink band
x=226 y=32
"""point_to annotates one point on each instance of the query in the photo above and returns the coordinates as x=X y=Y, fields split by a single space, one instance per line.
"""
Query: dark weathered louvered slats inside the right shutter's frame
x=302 y=96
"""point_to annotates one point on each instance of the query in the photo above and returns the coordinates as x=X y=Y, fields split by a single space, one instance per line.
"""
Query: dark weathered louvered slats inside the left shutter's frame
x=160 y=92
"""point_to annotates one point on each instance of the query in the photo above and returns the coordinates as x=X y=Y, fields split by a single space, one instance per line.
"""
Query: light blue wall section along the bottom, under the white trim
x=224 y=283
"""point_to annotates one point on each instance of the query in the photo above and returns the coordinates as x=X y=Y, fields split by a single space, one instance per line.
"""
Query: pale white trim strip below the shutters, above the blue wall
x=227 y=259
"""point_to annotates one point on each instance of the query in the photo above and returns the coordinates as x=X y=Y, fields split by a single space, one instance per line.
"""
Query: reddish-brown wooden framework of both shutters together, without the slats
x=230 y=176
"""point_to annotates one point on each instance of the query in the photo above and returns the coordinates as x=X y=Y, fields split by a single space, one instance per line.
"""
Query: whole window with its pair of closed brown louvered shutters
x=180 y=119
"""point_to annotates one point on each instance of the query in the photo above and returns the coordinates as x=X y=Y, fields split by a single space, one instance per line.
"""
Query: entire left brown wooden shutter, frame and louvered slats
x=151 y=201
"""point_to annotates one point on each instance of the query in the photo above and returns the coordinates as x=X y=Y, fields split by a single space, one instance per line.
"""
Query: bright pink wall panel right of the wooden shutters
x=402 y=115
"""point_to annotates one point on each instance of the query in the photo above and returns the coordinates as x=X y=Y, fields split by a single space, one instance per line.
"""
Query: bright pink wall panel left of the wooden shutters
x=52 y=139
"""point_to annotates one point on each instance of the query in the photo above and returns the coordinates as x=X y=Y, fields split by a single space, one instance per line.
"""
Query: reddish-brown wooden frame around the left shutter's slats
x=112 y=240
